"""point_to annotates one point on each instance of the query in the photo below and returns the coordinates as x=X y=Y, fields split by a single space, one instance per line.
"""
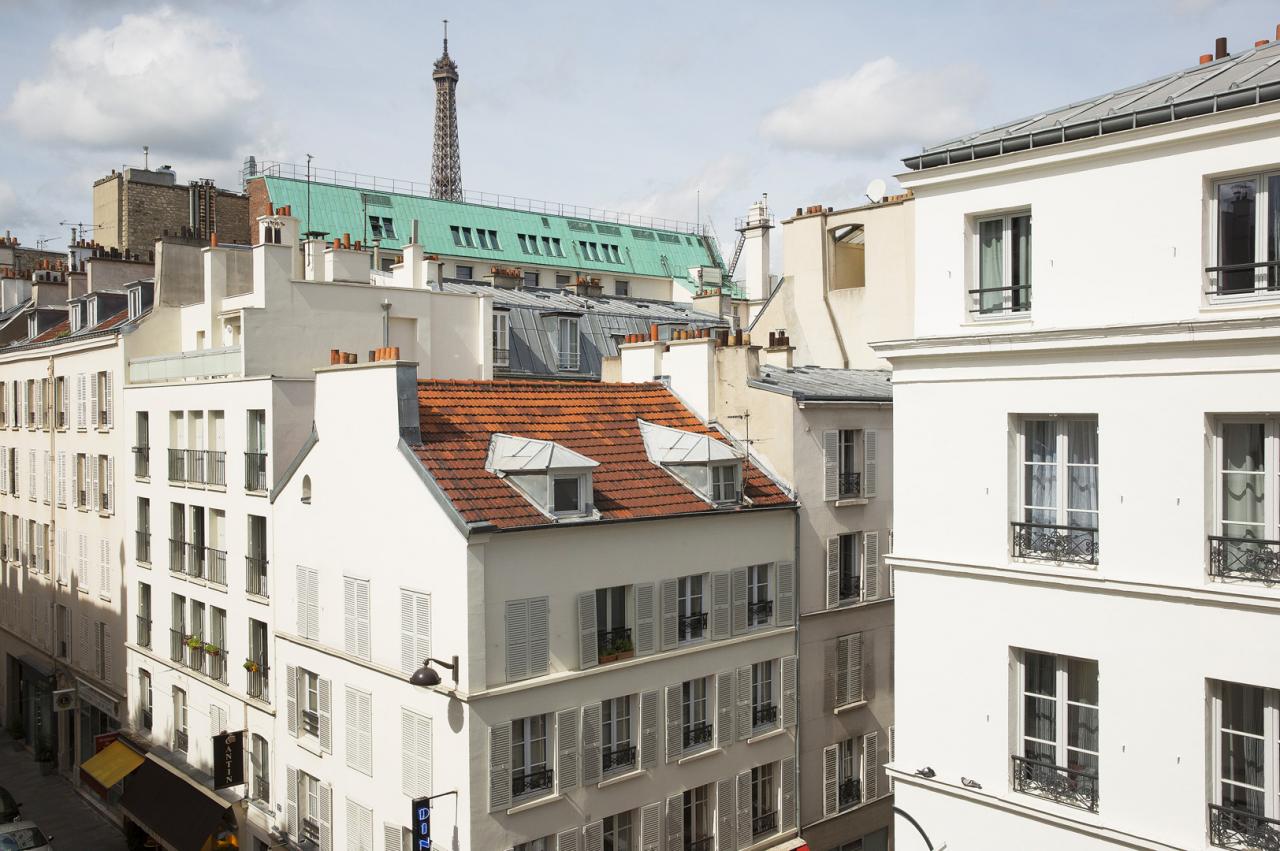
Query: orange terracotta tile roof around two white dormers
x=597 y=420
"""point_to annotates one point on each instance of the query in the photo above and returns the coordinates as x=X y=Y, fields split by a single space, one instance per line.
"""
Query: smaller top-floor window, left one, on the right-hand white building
x=1004 y=266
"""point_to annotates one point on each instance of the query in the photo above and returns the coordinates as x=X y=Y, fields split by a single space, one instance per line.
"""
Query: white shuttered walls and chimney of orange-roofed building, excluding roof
x=516 y=749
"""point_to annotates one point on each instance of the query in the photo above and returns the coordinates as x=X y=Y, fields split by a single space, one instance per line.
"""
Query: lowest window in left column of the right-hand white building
x=1059 y=730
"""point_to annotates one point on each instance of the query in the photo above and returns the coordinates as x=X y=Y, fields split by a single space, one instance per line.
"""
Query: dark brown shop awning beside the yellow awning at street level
x=172 y=808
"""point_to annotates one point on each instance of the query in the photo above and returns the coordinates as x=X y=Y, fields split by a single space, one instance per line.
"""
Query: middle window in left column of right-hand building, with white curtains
x=1059 y=491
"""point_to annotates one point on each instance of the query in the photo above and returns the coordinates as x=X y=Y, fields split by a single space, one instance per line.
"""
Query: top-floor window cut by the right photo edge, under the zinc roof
x=1246 y=236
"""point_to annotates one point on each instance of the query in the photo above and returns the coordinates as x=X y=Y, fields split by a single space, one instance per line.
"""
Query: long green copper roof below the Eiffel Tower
x=619 y=249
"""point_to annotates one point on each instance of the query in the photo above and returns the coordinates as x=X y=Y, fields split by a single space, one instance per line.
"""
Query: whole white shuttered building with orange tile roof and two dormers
x=604 y=587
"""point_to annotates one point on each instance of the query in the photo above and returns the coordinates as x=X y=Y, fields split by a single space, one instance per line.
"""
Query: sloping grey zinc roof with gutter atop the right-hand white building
x=1242 y=80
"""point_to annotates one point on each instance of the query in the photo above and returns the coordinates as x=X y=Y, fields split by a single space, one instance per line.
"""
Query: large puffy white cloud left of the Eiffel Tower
x=171 y=80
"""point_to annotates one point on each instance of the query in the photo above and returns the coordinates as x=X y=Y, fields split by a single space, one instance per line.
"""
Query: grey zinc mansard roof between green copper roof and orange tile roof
x=602 y=321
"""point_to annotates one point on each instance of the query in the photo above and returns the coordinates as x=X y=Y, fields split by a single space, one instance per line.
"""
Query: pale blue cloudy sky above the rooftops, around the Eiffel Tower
x=634 y=107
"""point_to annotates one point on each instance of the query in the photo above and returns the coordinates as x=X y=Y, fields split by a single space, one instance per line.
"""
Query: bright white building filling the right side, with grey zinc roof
x=1086 y=450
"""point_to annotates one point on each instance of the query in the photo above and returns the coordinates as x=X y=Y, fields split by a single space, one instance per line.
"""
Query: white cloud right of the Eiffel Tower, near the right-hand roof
x=880 y=109
